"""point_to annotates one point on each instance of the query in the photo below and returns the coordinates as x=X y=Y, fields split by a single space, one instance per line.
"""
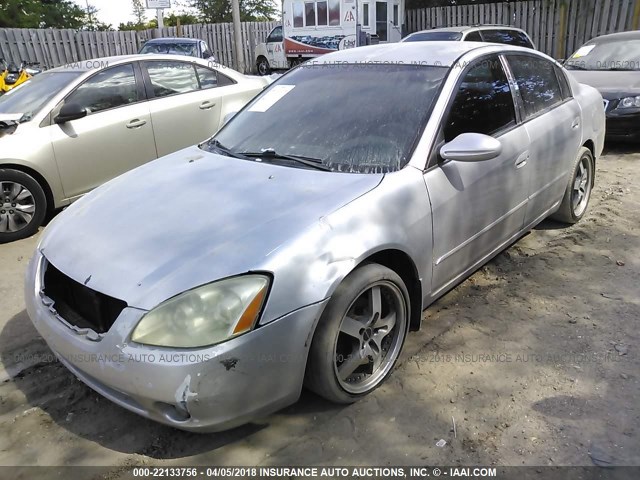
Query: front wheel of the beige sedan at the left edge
x=23 y=205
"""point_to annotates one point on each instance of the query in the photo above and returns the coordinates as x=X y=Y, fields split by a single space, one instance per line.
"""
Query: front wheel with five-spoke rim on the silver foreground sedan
x=357 y=342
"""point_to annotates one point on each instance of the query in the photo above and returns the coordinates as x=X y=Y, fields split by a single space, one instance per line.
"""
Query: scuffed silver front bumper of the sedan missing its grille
x=205 y=389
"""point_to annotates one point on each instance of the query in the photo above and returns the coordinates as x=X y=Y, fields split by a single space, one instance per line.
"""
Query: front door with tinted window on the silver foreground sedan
x=478 y=206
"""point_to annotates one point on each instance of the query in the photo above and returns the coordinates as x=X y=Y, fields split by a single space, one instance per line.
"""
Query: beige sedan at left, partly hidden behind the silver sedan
x=70 y=129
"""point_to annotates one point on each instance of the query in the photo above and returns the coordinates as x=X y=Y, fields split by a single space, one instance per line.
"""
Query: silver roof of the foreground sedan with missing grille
x=427 y=53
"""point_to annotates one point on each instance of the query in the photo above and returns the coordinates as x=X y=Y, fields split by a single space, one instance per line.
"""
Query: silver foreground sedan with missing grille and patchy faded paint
x=303 y=241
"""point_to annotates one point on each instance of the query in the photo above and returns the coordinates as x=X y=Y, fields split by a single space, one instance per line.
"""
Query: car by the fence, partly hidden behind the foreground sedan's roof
x=477 y=33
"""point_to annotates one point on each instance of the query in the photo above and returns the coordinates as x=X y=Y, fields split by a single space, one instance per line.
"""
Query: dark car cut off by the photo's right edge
x=611 y=64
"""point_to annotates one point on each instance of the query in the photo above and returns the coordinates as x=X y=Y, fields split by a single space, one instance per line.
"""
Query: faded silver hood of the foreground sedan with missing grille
x=188 y=219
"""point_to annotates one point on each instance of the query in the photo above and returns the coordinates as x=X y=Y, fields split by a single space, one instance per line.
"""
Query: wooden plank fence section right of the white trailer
x=557 y=27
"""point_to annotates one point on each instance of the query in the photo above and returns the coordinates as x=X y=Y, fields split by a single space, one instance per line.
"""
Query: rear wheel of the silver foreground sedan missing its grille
x=578 y=192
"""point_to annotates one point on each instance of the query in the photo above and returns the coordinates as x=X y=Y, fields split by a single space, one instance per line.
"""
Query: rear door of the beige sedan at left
x=184 y=101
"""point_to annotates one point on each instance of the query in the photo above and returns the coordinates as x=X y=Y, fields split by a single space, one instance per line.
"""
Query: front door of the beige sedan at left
x=114 y=137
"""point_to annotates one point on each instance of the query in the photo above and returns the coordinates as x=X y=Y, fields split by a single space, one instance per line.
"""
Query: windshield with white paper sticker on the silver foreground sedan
x=357 y=118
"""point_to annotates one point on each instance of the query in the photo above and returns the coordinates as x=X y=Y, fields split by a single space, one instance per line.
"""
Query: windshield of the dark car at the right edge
x=611 y=55
